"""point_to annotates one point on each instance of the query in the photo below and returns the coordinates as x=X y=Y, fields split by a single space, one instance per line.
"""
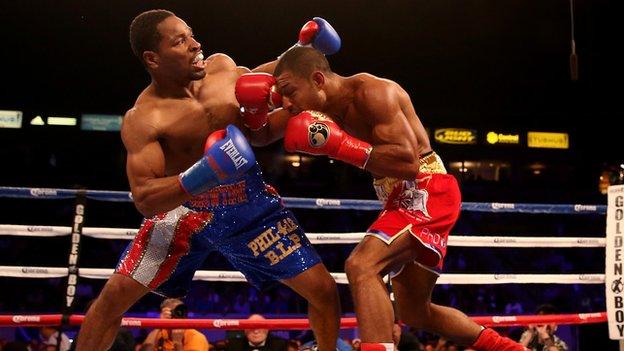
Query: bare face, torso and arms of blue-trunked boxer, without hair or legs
x=165 y=131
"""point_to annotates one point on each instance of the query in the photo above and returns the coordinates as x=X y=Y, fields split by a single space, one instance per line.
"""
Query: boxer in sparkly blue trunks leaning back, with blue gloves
x=194 y=177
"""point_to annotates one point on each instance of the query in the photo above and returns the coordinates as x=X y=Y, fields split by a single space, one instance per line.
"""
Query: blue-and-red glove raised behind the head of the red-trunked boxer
x=321 y=35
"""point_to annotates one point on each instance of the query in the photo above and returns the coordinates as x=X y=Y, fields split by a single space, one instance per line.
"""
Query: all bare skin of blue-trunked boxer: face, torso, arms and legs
x=164 y=134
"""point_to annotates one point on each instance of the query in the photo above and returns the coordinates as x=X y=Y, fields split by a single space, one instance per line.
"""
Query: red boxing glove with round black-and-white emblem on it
x=314 y=133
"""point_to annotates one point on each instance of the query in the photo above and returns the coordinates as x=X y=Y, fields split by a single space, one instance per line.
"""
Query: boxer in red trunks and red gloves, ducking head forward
x=370 y=122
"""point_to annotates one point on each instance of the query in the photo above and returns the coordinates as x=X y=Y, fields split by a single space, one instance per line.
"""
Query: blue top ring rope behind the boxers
x=318 y=203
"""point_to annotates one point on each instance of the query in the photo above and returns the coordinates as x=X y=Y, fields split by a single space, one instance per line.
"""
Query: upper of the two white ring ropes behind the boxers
x=321 y=238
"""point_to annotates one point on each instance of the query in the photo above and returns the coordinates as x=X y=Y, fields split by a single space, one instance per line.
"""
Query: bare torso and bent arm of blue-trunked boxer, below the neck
x=164 y=135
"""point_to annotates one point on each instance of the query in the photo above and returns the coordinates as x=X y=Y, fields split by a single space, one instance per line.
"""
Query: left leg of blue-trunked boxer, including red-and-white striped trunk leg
x=161 y=257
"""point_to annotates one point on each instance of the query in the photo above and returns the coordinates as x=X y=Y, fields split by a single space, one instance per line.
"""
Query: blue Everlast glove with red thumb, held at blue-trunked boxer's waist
x=227 y=154
